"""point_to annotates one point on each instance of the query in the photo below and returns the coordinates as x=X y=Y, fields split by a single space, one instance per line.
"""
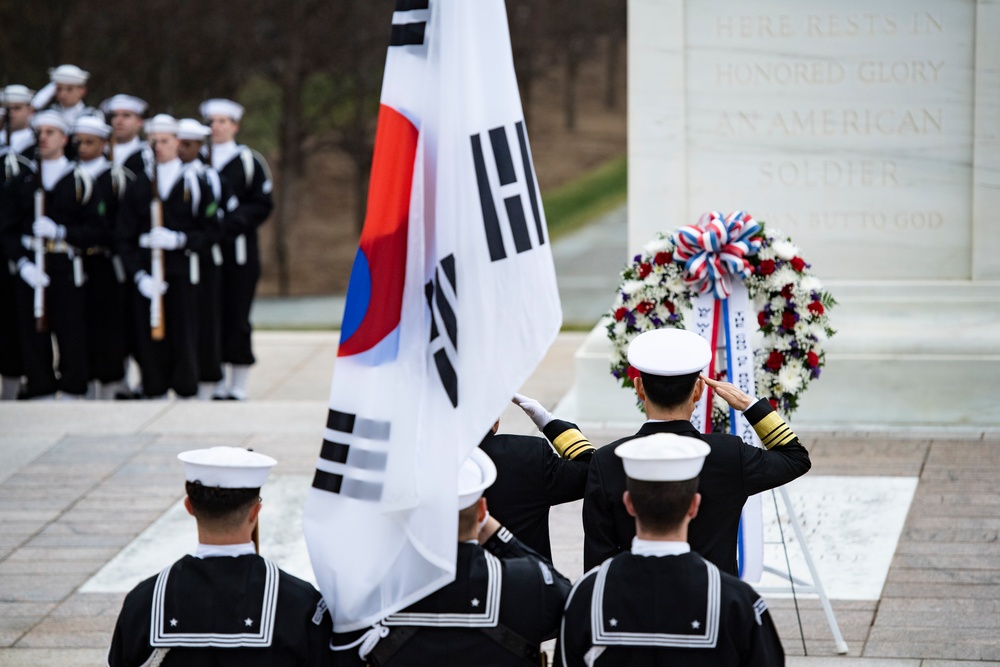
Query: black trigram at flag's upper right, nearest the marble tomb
x=514 y=177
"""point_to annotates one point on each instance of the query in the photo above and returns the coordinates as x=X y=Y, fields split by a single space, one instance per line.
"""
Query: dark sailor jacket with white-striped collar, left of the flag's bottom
x=222 y=611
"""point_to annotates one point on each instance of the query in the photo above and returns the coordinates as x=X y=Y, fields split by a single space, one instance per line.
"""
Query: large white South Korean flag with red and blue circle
x=452 y=303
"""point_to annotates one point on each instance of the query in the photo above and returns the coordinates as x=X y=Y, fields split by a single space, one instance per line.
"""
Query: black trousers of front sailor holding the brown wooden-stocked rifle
x=171 y=363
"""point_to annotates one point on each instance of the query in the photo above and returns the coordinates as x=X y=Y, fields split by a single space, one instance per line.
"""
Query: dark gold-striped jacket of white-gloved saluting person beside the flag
x=532 y=477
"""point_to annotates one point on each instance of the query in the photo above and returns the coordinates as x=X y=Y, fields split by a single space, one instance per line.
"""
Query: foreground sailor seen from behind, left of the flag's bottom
x=224 y=605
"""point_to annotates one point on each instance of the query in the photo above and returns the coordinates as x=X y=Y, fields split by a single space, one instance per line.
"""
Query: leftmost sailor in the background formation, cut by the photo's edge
x=17 y=139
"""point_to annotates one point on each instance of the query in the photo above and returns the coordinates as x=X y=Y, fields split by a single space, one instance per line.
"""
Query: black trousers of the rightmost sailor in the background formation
x=239 y=285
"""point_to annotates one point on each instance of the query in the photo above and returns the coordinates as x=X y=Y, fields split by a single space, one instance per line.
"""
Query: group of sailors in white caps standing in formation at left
x=125 y=237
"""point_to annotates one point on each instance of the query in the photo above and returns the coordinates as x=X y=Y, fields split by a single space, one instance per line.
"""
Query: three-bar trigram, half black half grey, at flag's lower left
x=353 y=444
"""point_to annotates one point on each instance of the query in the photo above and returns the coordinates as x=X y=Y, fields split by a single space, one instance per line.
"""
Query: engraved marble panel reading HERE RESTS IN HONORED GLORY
x=834 y=121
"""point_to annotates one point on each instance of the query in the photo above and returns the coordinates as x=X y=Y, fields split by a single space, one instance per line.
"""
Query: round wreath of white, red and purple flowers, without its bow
x=790 y=302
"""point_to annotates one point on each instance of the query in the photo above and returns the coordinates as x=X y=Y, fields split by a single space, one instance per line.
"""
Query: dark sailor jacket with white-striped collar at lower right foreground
x=643 y=611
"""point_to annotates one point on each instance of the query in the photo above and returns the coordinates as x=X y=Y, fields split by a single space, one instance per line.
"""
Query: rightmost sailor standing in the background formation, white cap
x=247 y=174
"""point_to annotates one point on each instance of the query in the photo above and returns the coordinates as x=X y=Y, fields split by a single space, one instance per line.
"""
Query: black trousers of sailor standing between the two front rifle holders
x=105 y=320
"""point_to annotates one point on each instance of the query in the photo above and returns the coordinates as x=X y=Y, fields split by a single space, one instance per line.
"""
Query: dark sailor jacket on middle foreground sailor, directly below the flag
x=506 y=599
